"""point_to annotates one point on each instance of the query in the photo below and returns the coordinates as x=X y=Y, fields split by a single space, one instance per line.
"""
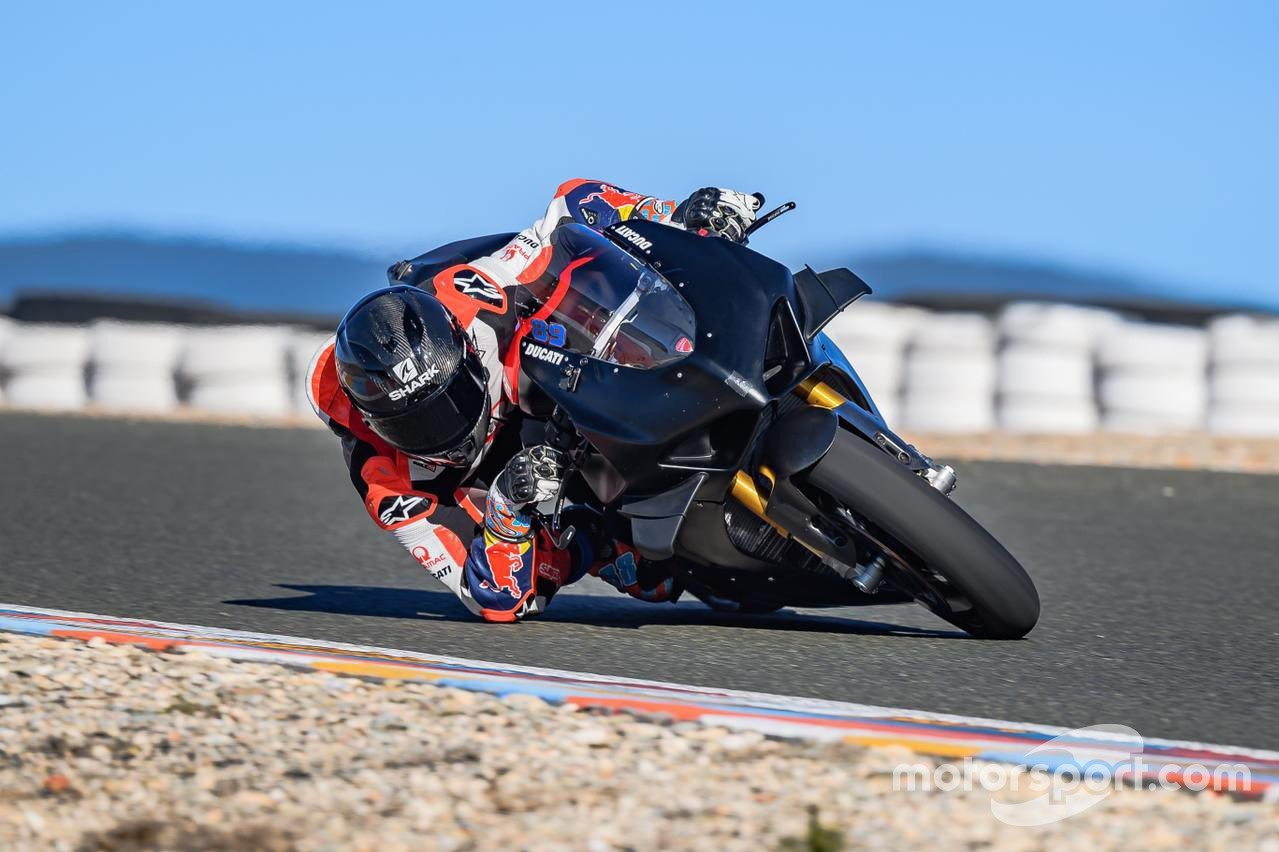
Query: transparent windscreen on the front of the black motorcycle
x=612 y=306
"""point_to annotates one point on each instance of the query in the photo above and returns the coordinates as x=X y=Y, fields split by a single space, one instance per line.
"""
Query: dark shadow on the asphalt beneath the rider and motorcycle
x=597 y=611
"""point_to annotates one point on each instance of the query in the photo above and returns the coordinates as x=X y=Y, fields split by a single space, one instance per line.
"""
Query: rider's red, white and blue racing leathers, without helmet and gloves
x=438 y=512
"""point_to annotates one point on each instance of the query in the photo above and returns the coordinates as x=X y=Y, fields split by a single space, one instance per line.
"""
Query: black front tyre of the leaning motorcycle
x=936 y=551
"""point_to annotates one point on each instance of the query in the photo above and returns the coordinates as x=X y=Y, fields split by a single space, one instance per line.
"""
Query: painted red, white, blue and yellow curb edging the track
x=927 y=734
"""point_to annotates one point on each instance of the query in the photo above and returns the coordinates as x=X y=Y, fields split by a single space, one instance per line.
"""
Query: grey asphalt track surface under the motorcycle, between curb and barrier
x=1158 y=588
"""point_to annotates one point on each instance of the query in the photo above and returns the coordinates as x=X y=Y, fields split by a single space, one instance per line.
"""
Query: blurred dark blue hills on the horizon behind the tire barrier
x=326 y=282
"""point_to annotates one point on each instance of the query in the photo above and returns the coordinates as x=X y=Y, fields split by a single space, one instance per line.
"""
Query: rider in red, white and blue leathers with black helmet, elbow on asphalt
x=419 y=386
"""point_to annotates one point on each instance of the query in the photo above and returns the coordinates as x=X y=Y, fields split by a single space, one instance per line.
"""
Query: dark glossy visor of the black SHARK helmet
x=443 y=420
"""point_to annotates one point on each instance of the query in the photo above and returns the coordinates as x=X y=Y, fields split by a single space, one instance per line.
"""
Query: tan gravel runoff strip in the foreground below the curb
x=116 y=748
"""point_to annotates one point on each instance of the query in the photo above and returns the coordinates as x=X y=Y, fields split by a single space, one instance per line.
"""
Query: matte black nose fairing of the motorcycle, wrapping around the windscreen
x=638 y=418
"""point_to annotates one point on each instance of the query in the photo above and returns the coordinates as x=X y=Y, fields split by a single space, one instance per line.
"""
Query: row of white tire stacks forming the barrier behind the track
x=1038 y=369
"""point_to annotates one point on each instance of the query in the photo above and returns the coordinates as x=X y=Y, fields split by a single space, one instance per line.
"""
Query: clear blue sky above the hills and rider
x=1139 y=138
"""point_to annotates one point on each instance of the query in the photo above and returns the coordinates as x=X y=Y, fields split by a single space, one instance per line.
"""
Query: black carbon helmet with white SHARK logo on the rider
x=415 y=375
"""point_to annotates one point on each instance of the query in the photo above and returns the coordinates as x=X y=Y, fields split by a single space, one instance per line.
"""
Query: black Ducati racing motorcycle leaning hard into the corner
x=702 y=404
